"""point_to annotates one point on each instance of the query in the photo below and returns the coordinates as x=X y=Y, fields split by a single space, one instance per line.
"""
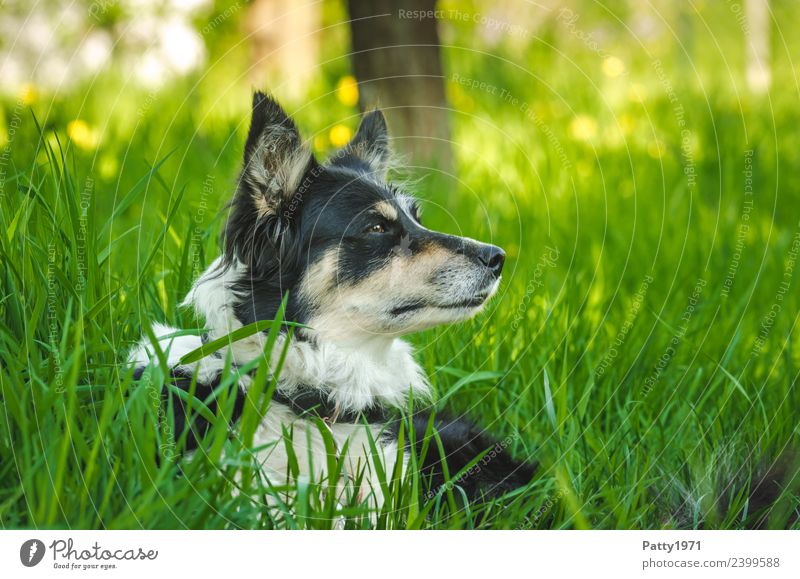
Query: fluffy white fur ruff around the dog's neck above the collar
x=376 y=374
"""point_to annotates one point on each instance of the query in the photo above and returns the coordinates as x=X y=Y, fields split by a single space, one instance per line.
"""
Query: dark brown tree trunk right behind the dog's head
x=397 y=62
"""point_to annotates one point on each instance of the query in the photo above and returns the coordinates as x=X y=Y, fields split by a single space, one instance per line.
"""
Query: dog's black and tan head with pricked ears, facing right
x=349 y=247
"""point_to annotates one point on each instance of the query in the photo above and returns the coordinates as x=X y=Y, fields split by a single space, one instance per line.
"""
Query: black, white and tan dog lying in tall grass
x=360 y=270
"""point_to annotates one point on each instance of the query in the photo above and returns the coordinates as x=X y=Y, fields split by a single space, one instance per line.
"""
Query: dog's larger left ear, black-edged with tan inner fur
x=275 y=159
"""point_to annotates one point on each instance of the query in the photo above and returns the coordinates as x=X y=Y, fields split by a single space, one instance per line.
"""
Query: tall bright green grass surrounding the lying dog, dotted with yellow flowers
x=643 y=347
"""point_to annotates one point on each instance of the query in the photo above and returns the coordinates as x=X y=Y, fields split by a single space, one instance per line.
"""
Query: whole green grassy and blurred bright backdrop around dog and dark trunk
x=639 y=162
